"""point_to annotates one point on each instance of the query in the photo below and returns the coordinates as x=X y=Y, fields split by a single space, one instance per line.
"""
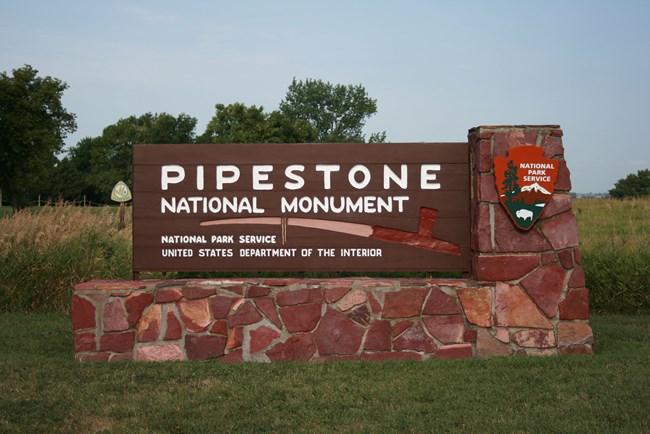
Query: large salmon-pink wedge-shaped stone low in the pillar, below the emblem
x=514 y=309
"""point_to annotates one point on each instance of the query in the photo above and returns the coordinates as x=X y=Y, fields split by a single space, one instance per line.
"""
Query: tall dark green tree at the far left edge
x=33 y=125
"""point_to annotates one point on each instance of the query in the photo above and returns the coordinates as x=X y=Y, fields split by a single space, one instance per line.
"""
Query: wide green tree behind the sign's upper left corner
x=99 y=162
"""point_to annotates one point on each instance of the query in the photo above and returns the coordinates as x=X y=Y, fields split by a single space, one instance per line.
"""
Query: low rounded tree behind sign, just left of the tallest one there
x=237 y=123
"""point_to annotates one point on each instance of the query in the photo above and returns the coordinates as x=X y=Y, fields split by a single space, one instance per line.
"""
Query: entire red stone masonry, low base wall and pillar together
x=526 y=295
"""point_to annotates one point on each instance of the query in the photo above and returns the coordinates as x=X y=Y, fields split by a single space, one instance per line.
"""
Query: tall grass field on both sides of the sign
x=45 y=251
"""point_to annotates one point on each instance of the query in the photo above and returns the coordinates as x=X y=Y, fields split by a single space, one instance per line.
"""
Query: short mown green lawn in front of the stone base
x=42 y=389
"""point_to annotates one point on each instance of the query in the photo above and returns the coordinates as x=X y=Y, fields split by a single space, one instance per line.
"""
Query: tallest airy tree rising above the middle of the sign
x=338 y=113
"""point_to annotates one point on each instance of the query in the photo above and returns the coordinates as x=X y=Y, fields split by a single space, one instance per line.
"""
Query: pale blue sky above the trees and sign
x=436 y=68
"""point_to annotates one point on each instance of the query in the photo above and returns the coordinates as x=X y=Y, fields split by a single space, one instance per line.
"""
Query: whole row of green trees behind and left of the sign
x=34 y=124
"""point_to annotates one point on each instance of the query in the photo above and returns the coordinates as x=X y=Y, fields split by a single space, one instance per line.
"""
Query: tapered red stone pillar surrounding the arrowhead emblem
x=540 y=298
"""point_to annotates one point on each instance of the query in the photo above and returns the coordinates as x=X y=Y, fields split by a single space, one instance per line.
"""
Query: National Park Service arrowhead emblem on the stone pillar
x=525 y=182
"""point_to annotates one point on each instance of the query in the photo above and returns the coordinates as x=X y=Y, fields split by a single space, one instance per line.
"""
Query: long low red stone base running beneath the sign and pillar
x=265 y=320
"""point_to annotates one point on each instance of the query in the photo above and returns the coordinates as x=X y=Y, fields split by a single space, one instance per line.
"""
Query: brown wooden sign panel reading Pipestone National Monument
x=301 y=207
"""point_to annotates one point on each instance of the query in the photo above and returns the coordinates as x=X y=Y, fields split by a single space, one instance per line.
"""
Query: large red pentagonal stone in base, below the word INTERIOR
x=337 y=334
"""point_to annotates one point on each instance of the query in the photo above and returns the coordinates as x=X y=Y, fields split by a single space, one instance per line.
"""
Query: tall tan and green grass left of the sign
x=44 y=253
